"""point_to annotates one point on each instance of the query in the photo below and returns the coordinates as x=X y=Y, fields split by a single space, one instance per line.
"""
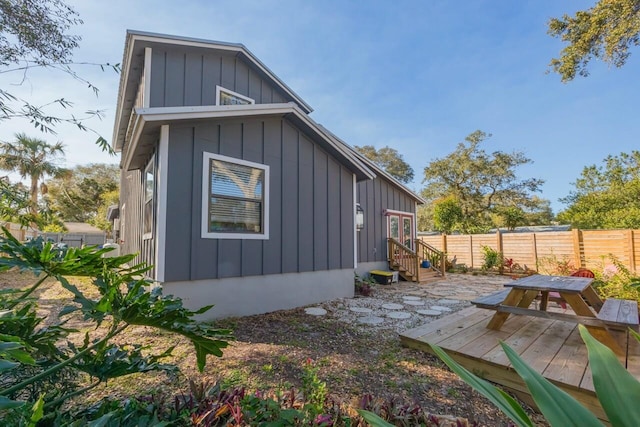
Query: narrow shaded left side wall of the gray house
x=131 y=200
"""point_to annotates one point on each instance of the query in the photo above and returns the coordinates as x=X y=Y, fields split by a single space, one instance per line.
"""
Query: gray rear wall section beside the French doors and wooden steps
x=375 y=196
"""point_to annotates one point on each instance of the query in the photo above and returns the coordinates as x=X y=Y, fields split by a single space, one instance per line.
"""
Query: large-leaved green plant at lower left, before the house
x=123 y=299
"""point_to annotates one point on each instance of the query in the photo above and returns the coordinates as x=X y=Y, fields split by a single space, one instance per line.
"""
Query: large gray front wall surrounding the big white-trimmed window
x=311 y=203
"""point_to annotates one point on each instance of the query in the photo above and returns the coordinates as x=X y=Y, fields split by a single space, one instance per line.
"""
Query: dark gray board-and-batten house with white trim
x=234 y=194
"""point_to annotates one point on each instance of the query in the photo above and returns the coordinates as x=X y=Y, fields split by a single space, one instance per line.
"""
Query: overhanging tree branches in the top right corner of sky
x=605 y=32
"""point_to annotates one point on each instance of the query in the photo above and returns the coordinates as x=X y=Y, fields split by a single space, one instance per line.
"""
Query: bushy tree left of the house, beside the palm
x=79 y=194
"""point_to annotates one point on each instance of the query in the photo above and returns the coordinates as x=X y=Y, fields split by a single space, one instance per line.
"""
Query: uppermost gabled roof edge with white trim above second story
x=133 y=62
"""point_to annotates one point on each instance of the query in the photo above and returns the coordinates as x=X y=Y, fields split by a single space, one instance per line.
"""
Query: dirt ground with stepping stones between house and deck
x=354 y=358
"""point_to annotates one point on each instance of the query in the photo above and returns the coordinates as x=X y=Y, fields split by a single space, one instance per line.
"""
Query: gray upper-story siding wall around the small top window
x=188 y=77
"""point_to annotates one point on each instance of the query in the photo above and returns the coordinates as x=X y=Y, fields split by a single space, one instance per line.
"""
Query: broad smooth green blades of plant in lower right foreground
x=617 y=389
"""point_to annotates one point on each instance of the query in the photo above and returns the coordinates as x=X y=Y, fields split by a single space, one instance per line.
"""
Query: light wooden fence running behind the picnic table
x=580 y=248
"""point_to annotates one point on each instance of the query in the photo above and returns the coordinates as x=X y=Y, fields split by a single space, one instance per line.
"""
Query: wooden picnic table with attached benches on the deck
x=599 y=317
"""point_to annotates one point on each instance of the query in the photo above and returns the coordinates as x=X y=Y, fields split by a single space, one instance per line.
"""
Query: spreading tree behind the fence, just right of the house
x=480 y=182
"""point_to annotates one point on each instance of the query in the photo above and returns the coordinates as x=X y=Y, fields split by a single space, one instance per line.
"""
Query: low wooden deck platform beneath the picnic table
x=552 y=347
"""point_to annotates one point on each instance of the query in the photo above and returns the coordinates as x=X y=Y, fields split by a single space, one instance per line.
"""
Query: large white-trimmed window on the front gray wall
x=235 y=198
